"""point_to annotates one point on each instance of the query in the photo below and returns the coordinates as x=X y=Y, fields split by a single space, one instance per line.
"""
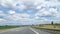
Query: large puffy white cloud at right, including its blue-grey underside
x=48 y=14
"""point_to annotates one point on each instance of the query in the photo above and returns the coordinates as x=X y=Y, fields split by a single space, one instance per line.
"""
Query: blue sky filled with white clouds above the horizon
x=27 y=12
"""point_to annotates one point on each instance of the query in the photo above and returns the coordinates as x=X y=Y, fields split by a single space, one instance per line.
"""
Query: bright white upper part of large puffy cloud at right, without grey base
x=45 y=12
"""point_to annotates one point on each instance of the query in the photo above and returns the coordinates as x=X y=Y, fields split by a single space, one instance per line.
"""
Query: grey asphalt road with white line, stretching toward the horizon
x=25 y=30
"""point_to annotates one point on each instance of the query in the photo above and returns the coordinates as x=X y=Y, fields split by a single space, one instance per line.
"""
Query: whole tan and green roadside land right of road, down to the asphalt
x=54 y=28
